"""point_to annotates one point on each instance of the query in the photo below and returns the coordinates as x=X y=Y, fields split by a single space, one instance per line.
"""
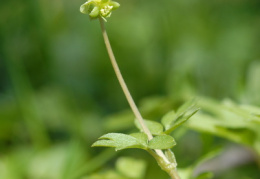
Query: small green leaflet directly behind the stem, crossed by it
x=156 y=128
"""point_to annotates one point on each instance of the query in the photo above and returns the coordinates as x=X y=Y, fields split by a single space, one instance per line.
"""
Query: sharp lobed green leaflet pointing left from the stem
x=119 y=141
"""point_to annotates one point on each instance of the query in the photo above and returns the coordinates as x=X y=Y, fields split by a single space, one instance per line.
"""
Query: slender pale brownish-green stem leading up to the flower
x=159 y=156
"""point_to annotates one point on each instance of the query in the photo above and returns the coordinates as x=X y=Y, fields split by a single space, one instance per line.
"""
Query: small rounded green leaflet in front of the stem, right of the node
x=162 y=142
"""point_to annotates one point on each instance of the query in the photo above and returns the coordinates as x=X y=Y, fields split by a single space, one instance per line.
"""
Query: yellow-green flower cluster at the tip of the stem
x=99 y=8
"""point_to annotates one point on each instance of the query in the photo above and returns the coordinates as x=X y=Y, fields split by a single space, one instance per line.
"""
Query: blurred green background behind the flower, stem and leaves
x=58 y=92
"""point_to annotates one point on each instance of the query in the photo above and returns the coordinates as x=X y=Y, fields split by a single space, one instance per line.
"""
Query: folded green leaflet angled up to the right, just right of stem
x=173 y=120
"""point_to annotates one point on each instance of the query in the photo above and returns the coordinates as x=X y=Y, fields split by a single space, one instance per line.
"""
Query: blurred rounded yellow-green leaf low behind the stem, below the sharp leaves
x=130 y=167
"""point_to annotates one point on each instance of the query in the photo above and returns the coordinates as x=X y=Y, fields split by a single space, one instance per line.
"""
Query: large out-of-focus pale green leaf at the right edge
x=227 y=120
